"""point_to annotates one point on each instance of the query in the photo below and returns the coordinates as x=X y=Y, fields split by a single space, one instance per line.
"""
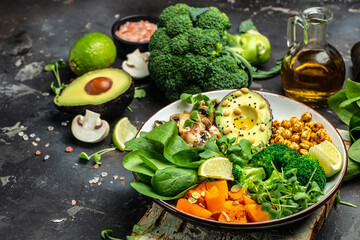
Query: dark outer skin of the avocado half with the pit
x=109 y=109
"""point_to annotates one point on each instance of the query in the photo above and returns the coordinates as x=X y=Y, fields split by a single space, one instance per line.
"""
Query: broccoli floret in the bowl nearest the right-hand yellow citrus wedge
x=306 y=166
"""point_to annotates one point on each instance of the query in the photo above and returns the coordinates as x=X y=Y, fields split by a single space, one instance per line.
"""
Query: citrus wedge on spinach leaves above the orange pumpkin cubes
x=216 y=167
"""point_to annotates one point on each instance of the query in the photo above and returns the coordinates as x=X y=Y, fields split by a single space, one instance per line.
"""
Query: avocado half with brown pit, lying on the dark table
x=106 y=91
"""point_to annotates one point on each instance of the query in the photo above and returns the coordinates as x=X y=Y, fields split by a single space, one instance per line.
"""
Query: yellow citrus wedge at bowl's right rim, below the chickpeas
x=329 y=157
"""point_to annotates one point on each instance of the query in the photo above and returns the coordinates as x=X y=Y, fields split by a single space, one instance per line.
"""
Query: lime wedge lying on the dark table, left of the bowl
x=123 y=132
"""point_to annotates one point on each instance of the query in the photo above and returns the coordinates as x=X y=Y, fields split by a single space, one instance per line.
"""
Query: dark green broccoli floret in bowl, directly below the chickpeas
x=278 y=154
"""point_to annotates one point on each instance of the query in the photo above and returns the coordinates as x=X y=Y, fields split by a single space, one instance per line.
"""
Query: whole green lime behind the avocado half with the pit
x=90 y=52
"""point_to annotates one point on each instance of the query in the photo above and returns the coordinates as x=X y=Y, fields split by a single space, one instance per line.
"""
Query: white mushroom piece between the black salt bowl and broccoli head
x=137 y=64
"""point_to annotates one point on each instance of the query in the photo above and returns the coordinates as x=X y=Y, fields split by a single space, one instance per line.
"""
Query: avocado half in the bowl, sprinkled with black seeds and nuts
x=245 y=114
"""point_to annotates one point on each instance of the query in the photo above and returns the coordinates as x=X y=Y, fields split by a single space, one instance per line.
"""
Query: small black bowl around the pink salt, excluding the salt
x=123 y=46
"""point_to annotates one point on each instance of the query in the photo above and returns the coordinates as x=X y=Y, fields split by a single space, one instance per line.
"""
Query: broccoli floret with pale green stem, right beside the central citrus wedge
x=247 y=175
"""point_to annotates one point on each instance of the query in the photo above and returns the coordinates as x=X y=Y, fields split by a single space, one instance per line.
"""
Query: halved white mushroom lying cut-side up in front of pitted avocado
x=90 y=128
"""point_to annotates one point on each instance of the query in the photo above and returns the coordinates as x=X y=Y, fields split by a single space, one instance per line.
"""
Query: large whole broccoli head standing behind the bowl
x=185 y=49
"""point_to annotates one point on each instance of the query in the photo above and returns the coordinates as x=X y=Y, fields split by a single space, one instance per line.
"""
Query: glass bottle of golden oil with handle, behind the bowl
x=312 y=70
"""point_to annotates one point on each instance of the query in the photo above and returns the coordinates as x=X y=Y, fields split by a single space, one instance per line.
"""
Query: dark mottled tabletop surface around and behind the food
x=36 y=194
